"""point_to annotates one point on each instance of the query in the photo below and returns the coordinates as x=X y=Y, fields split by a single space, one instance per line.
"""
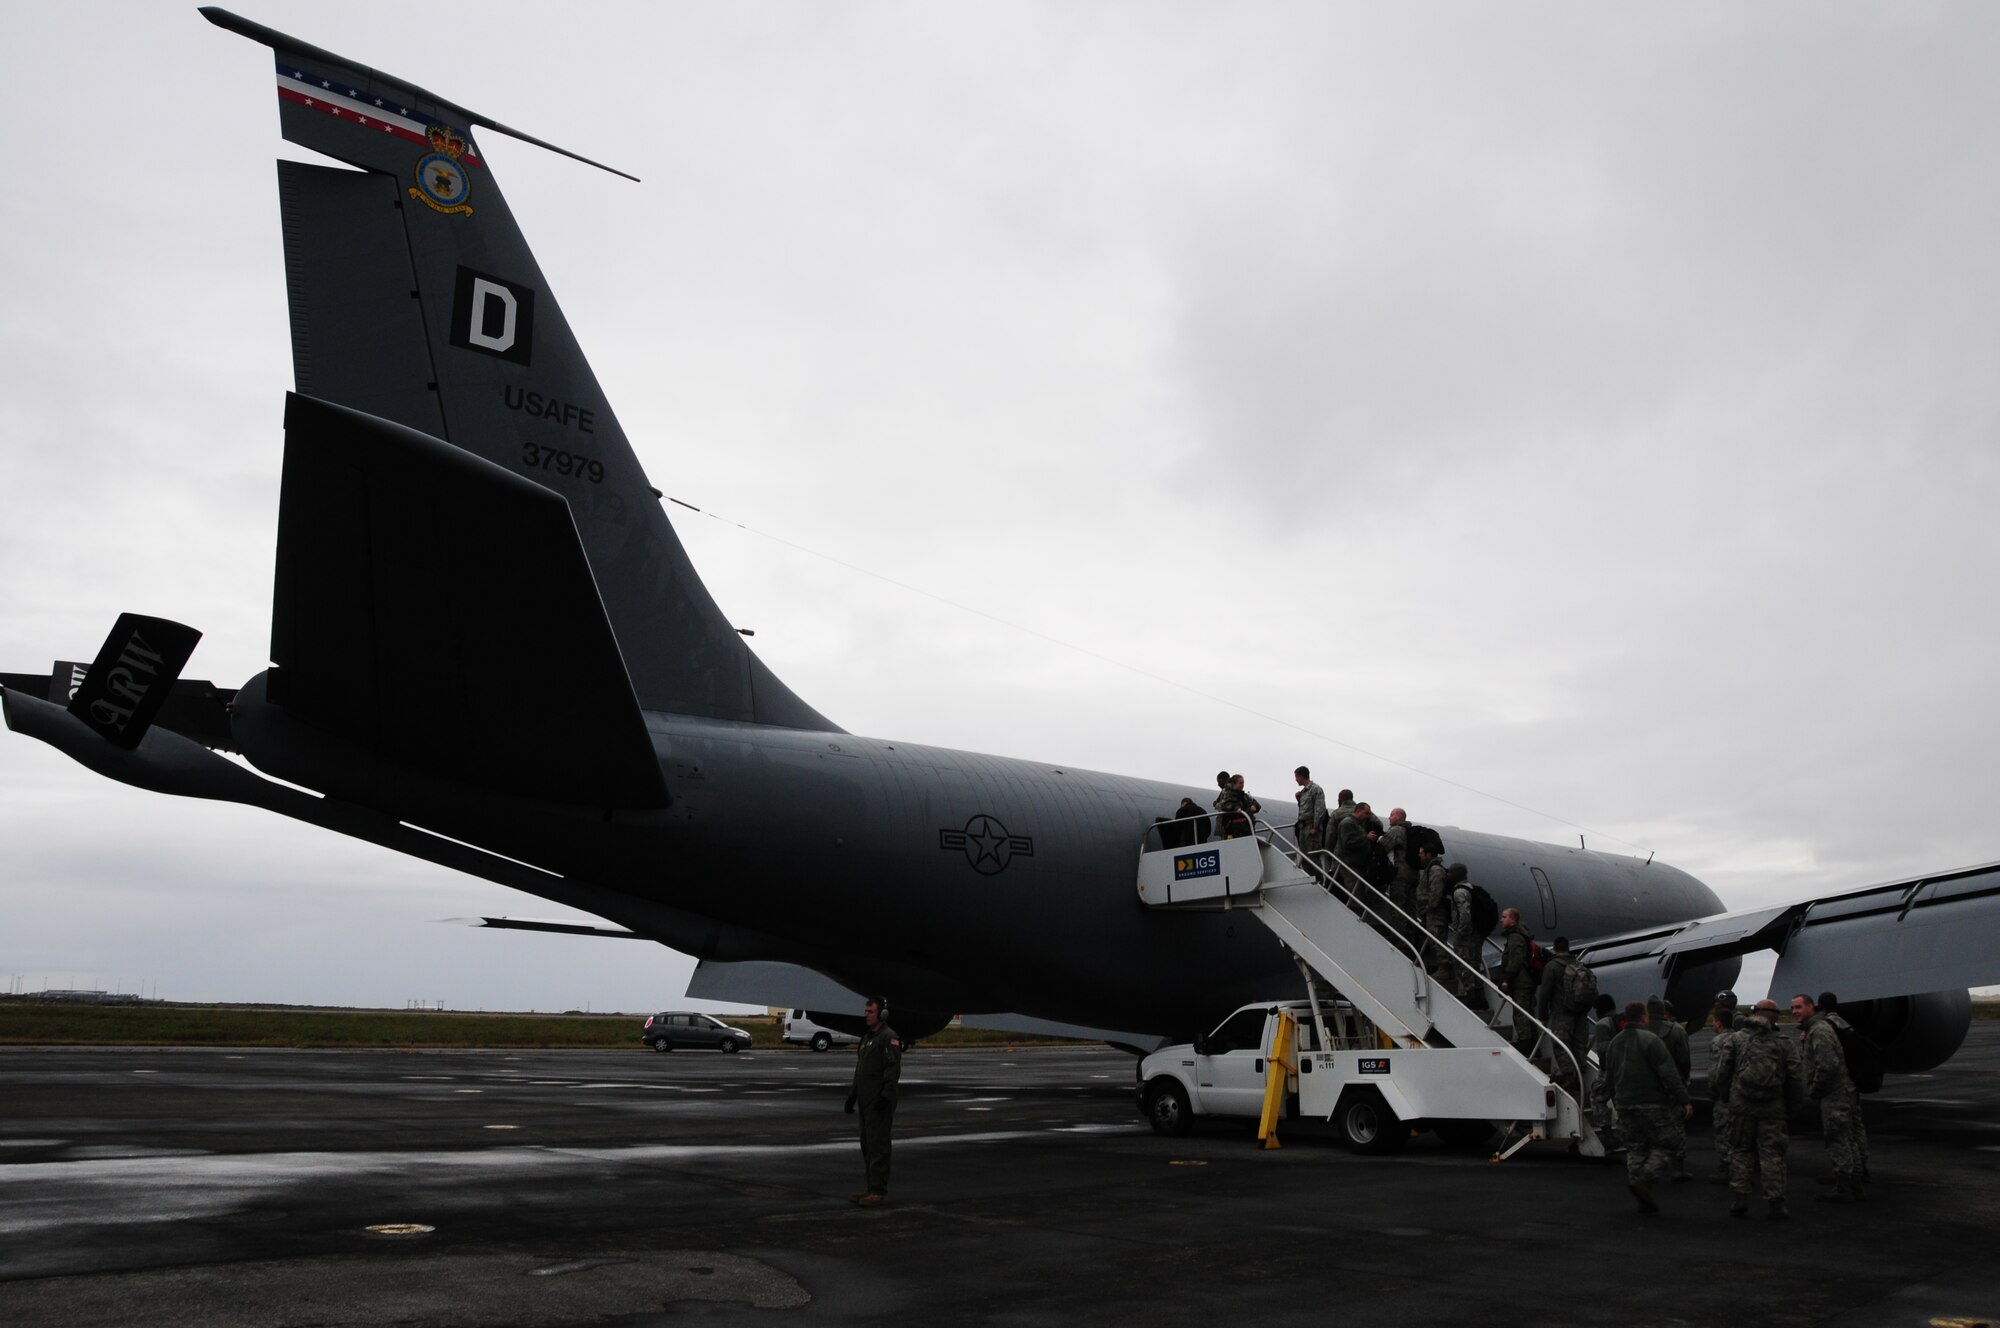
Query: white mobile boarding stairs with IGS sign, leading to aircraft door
x=1453 y=1063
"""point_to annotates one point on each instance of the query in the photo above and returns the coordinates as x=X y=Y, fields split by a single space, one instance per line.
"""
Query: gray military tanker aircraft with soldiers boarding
x=493 y=653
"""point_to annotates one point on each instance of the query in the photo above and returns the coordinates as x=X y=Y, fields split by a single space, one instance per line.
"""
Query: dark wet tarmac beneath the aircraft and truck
x=239 y=1187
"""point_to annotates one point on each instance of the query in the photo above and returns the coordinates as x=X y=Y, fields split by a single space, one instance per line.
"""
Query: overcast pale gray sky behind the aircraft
x=1545 y=417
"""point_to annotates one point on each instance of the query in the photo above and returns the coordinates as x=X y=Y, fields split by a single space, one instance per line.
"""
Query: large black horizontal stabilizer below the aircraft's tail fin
x=439 y=611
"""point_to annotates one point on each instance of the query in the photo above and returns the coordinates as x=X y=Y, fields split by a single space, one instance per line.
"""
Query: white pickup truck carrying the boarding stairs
x=1371 y=1091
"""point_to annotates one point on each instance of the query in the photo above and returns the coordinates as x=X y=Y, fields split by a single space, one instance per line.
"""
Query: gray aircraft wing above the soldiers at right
x=1921 y=935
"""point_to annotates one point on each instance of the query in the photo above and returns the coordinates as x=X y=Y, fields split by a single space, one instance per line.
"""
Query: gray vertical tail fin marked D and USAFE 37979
x=415 y=299
